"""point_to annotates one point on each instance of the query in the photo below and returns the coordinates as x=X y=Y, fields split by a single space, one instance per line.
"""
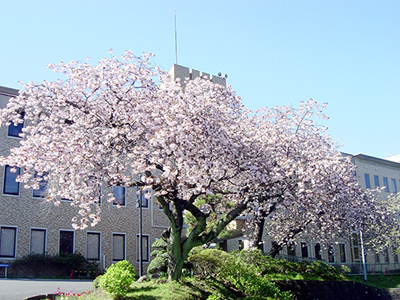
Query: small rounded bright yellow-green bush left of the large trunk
x=117 y=279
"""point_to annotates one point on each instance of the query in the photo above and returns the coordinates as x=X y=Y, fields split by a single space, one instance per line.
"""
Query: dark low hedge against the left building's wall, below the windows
x=53 y=266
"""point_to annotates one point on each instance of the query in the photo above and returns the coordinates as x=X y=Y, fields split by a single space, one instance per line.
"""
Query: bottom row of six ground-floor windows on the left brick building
x=8 y=244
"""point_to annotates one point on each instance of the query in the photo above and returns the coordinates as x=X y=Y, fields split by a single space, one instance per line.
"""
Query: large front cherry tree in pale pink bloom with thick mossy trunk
x=126 y=122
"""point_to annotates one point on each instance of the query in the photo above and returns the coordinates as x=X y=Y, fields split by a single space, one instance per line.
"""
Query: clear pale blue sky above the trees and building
x=345 y=53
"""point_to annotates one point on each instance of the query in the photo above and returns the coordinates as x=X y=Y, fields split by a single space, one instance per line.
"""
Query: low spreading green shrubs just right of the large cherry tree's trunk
x=252 y=273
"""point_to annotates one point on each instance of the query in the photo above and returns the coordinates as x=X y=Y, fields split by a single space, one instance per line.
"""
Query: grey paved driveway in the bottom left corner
x=20 y=289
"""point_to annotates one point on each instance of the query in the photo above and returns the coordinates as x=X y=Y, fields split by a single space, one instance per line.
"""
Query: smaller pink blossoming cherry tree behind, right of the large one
x=314 y=193
